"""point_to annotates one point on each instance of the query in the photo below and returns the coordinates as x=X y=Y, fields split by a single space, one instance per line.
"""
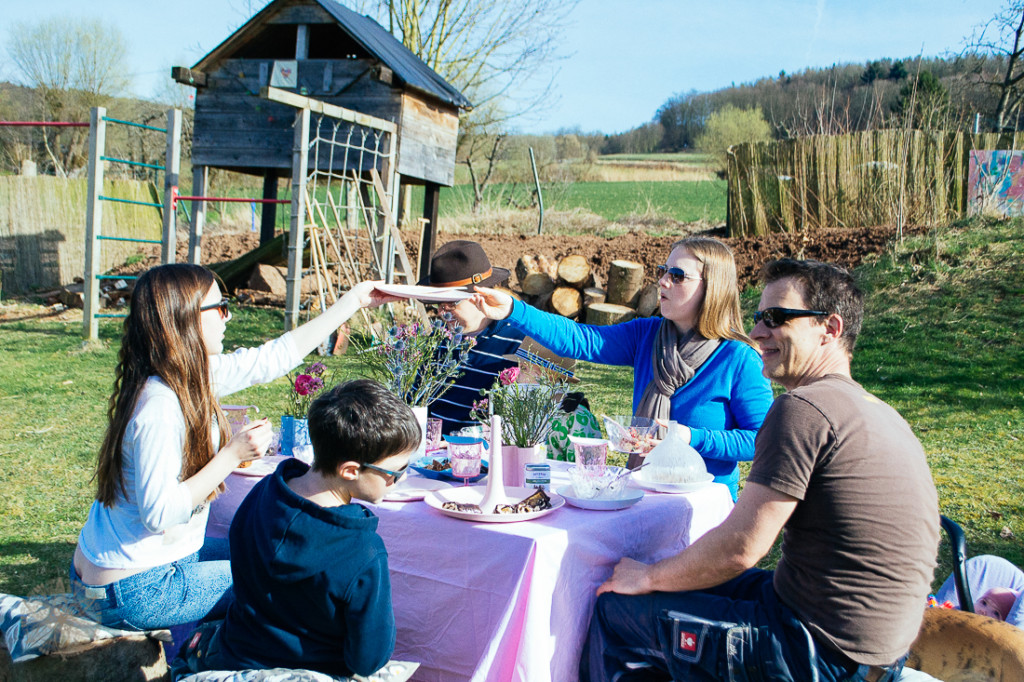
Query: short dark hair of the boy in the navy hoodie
x=360 y=421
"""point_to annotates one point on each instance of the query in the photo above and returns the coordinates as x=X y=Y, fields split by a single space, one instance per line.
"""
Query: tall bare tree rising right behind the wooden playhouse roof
x=502 y=56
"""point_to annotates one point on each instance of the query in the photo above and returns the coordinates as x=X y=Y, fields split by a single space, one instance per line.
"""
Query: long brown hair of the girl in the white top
x=163 y=337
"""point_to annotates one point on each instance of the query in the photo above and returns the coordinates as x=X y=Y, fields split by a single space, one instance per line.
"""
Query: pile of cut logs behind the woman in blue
x=573 y=289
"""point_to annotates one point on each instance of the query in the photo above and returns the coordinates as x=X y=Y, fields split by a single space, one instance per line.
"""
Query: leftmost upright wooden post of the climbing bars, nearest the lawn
x=94 y=224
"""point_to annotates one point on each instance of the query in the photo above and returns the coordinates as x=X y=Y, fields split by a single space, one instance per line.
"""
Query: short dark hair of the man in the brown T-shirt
x=825 y=287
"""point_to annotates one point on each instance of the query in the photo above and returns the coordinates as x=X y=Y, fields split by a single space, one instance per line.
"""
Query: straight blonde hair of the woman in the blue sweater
x=719 y=317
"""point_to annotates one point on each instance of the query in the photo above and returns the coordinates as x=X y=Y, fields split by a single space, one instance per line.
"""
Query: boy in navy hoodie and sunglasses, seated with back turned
x=312 y=586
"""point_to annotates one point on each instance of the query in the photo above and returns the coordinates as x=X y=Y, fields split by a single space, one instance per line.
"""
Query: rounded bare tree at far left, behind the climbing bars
x=73 y=65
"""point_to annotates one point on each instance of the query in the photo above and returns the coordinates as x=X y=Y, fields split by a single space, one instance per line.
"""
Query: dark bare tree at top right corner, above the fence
x=1004 y=36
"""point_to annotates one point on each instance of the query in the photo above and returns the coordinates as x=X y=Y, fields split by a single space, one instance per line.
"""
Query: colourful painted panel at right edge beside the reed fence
x=996 y=184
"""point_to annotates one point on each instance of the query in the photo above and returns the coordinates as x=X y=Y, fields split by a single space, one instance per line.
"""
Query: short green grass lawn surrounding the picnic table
x=944 y=343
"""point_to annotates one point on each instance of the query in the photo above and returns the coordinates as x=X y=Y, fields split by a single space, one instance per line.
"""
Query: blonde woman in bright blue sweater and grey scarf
x=695 y=365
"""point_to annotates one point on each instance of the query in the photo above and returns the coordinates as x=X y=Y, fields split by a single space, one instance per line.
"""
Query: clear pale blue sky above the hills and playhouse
x=623 y=58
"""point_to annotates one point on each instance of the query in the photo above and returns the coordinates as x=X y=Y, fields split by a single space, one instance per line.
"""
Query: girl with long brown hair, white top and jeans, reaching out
x=142 y=561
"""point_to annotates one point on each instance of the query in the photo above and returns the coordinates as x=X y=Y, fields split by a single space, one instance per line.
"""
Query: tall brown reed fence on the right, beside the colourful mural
x=871 y=179
